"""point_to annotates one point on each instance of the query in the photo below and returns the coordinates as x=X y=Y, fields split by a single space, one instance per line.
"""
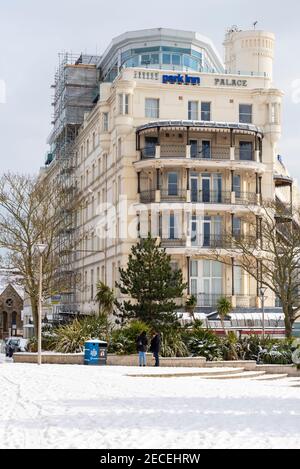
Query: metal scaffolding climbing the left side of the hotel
x=75 y=93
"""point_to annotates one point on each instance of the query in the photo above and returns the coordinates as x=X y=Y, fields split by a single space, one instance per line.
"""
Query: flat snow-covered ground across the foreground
x=60 y=406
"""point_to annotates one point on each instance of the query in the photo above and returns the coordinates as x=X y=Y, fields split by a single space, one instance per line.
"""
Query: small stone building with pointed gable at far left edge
x=11 y=306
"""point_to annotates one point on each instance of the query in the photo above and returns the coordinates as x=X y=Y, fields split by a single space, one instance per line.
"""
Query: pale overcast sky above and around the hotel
x=33 y=32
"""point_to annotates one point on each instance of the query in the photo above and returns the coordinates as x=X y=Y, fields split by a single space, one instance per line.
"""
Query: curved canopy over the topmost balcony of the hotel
x=202 y=125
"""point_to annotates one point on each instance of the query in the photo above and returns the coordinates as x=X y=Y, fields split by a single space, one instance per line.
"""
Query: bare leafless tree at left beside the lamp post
x=30 y=213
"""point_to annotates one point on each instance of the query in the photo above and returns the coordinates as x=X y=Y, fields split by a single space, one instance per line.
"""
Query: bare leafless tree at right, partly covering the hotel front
x=272 y=255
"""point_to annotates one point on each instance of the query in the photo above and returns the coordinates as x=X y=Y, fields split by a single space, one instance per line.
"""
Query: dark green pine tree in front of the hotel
x=152 y=284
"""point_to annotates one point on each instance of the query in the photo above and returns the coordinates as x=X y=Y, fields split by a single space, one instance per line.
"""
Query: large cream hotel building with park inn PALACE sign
x=163 y=123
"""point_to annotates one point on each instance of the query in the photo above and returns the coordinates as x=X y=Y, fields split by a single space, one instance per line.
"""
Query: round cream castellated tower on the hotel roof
x=249 y=51
